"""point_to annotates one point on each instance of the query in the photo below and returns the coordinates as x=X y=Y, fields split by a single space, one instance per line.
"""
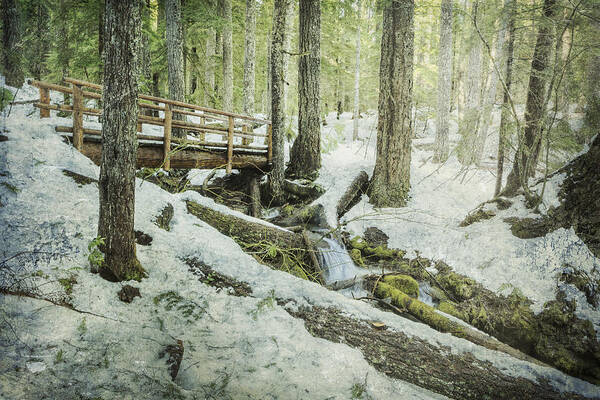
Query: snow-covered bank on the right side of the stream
x=440 y=198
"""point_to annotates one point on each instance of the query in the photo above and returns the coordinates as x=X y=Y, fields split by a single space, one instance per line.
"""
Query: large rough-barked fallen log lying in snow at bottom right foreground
x=459 y=376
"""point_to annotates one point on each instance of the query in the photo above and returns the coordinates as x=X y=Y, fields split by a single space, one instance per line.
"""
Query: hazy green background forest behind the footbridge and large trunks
x=64 y=38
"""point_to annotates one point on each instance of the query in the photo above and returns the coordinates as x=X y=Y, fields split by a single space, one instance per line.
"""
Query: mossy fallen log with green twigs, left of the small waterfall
x=273 y=246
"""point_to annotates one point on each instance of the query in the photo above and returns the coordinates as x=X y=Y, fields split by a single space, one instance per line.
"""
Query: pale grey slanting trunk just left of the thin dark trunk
x=490 y=100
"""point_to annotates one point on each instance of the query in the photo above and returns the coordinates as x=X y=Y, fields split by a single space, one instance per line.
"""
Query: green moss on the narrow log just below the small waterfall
x=420 y=310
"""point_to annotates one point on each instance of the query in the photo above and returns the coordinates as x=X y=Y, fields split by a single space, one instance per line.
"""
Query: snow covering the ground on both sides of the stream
x=235 y=347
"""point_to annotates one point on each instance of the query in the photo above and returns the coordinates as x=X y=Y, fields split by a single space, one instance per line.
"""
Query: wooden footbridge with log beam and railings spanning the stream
x=221 y=139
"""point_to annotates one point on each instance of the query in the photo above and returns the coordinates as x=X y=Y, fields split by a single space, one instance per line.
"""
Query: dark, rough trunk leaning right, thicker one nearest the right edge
x=526 y=158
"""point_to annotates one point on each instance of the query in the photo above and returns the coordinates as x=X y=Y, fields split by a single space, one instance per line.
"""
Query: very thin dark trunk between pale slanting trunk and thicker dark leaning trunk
x=503 y=133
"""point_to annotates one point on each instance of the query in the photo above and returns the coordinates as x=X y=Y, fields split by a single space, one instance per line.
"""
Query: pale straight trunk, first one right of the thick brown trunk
x=444 y=84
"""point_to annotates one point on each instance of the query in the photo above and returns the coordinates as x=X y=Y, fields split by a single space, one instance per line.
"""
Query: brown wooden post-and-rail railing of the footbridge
x=226 y=124
